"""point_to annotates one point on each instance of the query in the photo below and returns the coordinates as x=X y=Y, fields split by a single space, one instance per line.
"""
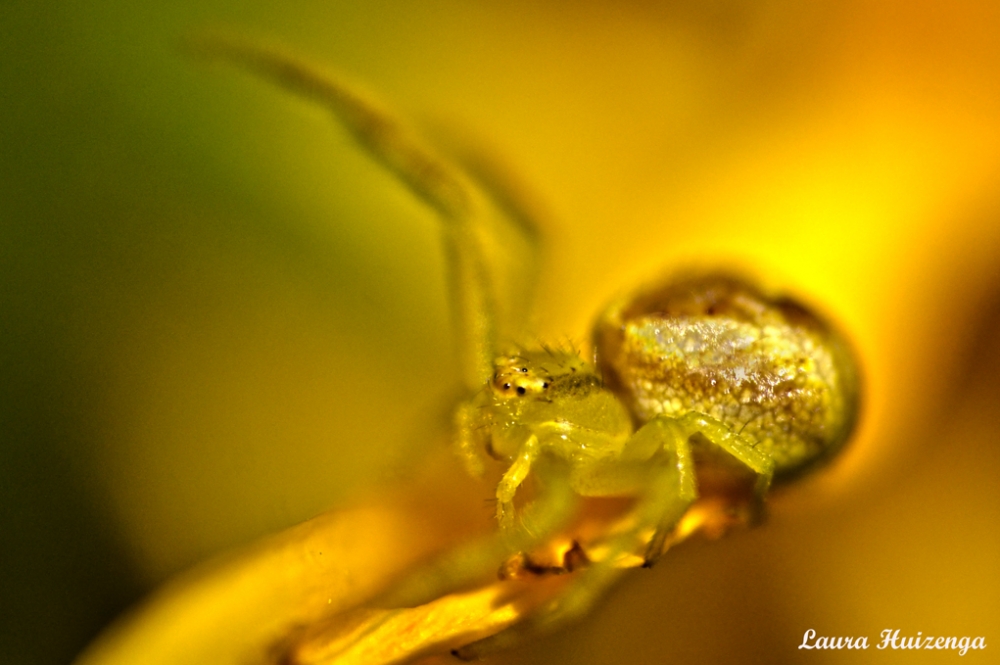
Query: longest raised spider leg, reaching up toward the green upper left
x=433 y=179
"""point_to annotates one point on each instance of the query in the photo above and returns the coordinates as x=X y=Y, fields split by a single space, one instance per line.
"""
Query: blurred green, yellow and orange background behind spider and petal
x=217 y=319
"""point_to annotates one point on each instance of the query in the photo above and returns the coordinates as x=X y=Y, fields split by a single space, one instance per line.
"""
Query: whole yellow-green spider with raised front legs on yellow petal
x=699 y=384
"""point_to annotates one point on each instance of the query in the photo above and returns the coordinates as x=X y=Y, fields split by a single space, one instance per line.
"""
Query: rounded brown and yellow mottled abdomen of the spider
x=768 y=368
